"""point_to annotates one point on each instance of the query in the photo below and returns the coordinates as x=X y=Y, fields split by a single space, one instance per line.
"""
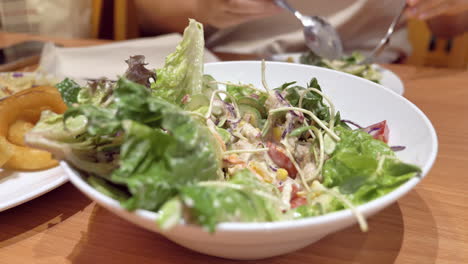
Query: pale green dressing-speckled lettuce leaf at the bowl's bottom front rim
x=241 y=199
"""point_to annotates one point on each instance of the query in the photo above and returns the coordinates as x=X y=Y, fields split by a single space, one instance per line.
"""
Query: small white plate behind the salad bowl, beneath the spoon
x=389 y=78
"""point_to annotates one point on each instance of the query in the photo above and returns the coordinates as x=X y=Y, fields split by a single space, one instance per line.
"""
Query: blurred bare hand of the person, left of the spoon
x=226 y=13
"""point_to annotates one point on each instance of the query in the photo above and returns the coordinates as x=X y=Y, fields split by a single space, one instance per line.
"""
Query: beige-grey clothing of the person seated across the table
x=360 y=23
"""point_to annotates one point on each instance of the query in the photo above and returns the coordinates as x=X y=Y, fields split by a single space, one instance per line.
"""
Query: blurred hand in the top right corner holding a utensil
x=427 y=9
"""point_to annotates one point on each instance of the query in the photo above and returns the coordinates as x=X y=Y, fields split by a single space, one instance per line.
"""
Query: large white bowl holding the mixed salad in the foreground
x=357 y=99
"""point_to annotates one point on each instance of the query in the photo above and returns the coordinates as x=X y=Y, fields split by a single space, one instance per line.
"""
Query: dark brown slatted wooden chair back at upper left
x=118 y=25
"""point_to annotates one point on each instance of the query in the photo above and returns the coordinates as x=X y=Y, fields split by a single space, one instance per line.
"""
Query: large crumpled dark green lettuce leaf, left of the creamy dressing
x=155 y=164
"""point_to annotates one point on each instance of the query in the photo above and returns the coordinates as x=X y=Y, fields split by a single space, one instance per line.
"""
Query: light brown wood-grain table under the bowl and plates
x=429 y=225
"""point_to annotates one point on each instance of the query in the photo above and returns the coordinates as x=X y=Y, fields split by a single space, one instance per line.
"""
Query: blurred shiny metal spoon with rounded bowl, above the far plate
x=319 y=35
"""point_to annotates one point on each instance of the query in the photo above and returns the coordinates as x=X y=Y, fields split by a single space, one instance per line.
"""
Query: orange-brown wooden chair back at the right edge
x=429 y=50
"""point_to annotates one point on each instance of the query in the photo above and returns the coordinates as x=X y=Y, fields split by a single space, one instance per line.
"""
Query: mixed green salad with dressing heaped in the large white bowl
x=170 y=141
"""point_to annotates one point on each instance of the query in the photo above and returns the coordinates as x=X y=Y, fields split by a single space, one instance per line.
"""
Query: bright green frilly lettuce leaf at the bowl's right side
x=364 y=168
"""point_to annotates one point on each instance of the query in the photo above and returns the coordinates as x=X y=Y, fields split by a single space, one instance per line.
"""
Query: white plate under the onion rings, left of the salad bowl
x=19 y=187
